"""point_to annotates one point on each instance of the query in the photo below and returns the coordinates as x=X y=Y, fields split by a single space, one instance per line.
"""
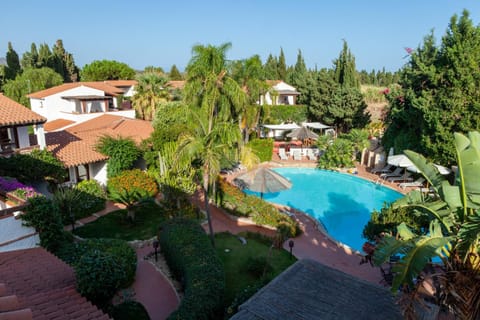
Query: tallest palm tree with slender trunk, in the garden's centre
x=216 y=99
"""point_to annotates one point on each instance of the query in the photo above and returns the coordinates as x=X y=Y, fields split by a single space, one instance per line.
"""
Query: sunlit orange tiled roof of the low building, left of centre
x=76 y=145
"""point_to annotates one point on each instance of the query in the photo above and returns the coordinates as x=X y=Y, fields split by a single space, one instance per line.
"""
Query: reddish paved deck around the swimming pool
x=313 y=243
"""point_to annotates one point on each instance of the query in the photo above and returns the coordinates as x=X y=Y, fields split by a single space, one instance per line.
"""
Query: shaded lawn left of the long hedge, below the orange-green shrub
x=115 y=225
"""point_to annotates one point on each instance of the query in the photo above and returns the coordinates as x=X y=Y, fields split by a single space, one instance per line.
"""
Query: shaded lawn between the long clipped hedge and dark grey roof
x=234 y=261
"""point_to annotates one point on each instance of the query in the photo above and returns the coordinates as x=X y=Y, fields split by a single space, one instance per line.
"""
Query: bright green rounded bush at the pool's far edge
x=337 y=155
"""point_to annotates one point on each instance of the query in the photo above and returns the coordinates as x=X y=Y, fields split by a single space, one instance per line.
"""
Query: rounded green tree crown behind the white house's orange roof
x=101 y=70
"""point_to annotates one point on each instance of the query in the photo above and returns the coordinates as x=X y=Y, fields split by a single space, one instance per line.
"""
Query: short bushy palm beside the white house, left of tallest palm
x=151 y=91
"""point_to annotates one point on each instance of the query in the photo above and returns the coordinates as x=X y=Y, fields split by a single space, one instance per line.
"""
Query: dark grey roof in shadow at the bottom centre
x=310 y=290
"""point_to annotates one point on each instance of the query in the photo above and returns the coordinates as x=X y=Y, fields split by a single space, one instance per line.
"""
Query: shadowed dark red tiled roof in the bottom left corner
x=44 y=284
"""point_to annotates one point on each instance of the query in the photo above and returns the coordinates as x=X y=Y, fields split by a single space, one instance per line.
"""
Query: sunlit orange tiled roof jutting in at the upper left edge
x=13 y=113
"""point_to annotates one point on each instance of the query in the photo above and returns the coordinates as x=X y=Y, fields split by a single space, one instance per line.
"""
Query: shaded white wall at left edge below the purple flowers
x=11 y=229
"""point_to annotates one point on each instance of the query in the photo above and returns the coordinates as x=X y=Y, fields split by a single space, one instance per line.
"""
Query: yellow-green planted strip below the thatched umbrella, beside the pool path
x=238 y=203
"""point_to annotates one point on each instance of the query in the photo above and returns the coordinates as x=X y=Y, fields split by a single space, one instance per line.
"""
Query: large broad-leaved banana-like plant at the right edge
x=453 y=235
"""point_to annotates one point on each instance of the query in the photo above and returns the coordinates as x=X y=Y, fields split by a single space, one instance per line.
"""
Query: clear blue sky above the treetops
x=162 y=33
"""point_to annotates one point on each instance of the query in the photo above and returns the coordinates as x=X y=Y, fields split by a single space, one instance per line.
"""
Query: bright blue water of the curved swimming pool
x=342 y=202
